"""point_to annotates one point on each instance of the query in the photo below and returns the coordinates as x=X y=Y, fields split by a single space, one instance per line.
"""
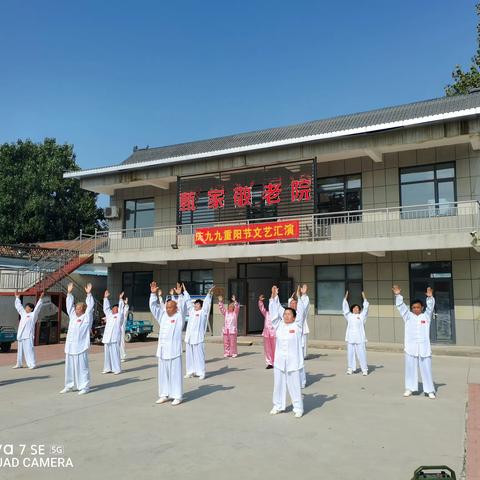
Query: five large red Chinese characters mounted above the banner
x=300 y=191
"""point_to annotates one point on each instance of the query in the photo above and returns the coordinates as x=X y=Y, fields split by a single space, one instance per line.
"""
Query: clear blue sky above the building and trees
x=107 y=75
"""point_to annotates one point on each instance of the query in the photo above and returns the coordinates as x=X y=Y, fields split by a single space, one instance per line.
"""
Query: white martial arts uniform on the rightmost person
x=418 y=352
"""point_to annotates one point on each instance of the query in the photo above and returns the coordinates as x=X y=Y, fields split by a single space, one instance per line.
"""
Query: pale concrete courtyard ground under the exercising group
x=354 y=426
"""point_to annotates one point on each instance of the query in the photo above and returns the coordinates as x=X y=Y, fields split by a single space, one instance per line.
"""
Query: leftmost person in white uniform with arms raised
x=26 y=331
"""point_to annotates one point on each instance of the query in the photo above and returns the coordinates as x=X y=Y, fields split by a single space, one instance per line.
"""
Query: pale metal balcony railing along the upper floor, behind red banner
x=380 y=222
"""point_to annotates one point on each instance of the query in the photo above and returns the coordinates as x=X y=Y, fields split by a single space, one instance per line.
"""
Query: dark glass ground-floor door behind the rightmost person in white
x=437 y=275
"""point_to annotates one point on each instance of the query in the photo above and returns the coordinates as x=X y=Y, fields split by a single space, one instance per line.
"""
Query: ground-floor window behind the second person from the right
x=332 y=282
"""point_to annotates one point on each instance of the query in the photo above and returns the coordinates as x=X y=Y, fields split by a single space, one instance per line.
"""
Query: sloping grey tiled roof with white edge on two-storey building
x=345 y=125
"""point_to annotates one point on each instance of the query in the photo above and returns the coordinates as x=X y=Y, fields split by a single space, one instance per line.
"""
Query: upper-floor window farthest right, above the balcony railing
x=432 y=185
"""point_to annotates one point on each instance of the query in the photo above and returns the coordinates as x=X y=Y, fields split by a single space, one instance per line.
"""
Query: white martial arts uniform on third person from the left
x=112 y=336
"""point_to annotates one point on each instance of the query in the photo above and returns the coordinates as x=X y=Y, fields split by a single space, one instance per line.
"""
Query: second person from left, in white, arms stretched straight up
x=77 y=372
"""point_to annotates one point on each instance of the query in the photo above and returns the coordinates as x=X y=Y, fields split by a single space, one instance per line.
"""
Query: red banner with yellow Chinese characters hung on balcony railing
x=257 y=232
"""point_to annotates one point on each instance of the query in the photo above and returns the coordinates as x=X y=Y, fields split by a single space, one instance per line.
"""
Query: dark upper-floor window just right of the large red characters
x=339 y=194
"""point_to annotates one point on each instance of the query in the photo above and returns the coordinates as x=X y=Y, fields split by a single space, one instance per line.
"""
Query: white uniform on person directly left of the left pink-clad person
x=195 y=336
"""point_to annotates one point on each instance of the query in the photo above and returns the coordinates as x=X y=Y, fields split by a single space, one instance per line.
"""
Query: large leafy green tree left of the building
x=36 y=203
